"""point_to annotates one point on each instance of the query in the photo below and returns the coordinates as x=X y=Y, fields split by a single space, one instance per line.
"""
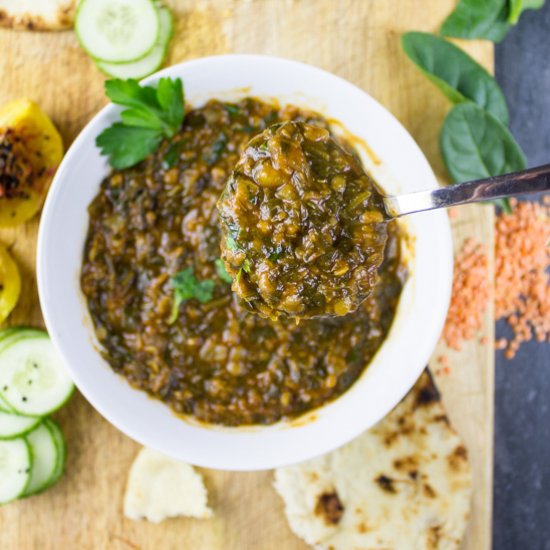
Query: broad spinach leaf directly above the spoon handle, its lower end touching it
x=474 y=145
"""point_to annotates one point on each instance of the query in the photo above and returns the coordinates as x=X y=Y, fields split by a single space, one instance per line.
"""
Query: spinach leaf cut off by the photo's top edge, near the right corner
x=478 y=19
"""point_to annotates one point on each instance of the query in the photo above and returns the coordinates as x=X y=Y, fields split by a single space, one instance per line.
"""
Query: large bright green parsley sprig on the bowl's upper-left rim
x=152 y=114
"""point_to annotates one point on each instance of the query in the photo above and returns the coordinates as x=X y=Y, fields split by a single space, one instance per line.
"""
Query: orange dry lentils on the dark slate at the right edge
x=522 y=262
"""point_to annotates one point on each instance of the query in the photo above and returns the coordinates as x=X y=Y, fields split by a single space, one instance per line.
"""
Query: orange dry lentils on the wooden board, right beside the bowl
x=470 y=295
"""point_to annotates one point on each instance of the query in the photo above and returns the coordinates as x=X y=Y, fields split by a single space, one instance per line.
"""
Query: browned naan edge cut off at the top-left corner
x=37 y=15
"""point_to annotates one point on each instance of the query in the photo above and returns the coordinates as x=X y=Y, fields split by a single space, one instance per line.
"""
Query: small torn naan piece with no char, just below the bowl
x=160 y=487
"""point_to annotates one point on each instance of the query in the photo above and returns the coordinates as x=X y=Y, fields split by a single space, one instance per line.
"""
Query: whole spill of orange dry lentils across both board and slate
x=522 y=289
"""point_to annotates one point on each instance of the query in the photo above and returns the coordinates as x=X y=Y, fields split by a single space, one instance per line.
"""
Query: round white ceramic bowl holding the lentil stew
x=396 y=366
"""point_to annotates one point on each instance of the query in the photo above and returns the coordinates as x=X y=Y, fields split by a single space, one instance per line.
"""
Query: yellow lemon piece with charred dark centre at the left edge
x=30 y=151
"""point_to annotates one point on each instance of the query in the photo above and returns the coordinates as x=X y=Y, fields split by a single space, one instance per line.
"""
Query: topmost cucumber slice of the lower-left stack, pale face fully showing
x=33 y=379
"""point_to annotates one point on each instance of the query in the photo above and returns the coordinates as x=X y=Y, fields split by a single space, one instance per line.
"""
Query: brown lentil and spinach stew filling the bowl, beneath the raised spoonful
x=161 y=300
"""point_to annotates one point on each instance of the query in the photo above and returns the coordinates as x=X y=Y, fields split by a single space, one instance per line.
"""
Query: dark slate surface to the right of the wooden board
x=522 y=400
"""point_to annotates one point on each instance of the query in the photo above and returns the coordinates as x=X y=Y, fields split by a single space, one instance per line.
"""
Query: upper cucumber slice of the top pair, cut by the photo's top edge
x=117 y=30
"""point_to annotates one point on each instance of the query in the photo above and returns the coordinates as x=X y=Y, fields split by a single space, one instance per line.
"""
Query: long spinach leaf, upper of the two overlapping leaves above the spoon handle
x=455 y=73
